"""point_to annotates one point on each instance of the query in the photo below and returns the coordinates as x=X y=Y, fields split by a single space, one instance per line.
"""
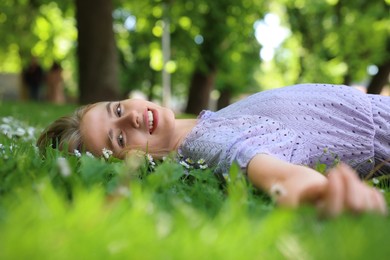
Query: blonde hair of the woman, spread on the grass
x=64 y=132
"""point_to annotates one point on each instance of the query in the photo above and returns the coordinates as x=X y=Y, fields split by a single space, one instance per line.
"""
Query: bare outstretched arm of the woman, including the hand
x=296 y=184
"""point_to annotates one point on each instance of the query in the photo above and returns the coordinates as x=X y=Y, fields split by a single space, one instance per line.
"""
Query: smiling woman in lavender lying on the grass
x=273 y=136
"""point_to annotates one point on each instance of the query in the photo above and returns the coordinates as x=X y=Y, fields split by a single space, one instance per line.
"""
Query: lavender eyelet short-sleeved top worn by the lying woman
x=303 y=124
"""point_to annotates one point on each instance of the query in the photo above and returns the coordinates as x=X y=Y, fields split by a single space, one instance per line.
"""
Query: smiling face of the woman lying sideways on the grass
x=130 y=123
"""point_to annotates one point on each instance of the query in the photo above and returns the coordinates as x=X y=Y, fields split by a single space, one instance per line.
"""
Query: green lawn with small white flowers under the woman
x=62 y=207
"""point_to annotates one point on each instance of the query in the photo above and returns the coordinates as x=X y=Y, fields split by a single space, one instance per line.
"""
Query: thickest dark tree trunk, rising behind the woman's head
x=97 y=54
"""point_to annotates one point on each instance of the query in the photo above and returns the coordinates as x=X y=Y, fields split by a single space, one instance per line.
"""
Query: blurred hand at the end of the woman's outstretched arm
x=346 y=192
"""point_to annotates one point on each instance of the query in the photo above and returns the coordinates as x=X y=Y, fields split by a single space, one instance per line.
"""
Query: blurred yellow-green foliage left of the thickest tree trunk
x=45 y=29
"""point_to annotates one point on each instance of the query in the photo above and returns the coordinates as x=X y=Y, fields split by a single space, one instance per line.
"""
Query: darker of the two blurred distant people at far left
x=33 y=76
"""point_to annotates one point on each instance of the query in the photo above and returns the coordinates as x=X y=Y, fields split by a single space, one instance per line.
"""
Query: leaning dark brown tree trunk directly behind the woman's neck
x=201 y=85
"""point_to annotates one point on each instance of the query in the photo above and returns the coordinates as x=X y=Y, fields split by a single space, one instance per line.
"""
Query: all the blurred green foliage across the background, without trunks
x=330 y=41
